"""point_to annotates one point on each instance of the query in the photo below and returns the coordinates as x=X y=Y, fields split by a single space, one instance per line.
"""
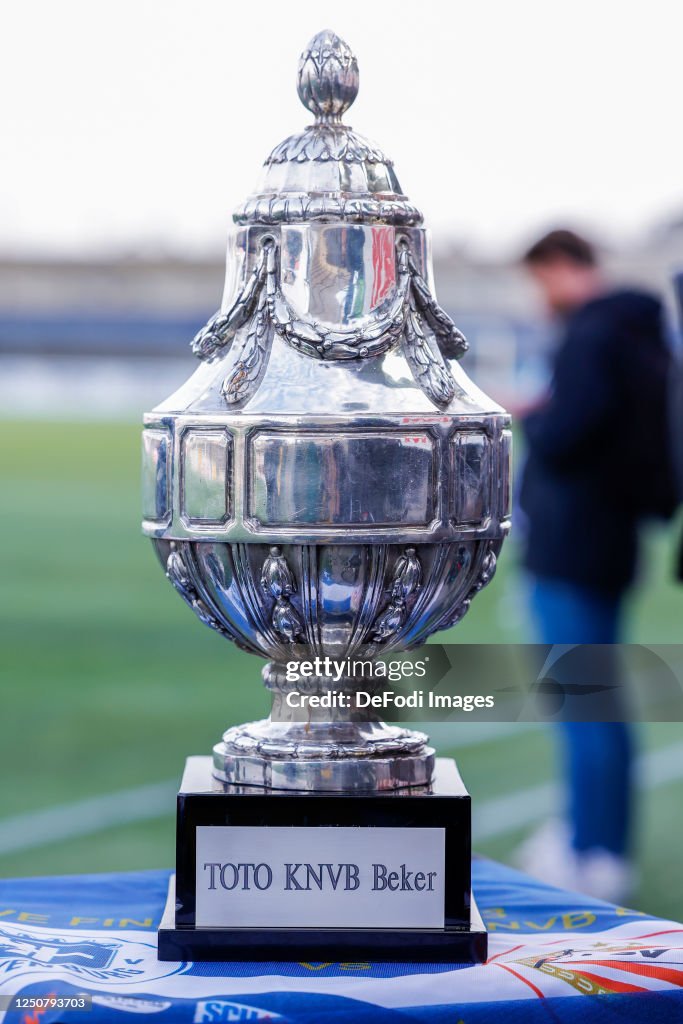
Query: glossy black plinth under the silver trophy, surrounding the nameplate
x=204 y=802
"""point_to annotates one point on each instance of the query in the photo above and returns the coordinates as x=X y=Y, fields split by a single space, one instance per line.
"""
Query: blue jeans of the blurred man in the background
x=599 y=756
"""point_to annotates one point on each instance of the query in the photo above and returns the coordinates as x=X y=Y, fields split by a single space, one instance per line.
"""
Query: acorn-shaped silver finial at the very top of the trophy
x=328 y=77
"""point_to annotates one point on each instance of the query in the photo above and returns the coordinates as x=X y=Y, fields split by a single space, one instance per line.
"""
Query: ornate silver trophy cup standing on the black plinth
x=328 y=483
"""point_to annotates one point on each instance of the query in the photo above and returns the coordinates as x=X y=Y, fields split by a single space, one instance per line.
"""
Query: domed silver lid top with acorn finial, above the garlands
x=328 y=172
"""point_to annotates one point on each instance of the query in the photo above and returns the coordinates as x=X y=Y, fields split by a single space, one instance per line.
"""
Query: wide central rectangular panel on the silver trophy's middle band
x=343 y=480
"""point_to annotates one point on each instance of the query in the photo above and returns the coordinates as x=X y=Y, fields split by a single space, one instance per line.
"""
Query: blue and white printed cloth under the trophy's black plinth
x=554 y=957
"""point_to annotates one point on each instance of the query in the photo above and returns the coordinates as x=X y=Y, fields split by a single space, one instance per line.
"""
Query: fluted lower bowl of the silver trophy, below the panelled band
x=344 y=602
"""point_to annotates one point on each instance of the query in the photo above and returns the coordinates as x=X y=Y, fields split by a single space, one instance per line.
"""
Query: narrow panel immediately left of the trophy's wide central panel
x=205 y=477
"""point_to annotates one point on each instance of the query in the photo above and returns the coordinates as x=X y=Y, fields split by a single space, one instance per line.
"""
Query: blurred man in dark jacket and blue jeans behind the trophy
x=599 y=464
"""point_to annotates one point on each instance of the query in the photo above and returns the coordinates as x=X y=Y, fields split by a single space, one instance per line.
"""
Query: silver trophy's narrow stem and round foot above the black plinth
x=323 y=749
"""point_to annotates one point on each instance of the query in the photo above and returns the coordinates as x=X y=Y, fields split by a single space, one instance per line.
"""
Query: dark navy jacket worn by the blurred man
x=599 y=450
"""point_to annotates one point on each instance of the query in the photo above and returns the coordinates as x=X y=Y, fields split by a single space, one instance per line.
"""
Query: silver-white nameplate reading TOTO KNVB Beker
x=251 y=877
